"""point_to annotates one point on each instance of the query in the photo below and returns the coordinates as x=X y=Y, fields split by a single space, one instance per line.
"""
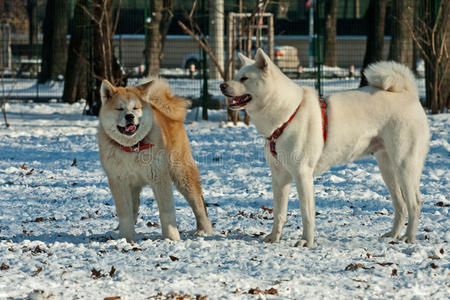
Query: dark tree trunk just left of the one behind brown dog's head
x=77 y=69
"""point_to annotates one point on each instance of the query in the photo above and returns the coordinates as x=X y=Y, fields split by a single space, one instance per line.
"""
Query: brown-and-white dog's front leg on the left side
x=124 y=207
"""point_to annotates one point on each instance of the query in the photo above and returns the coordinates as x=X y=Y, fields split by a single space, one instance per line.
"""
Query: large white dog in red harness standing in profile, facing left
x=306 y=136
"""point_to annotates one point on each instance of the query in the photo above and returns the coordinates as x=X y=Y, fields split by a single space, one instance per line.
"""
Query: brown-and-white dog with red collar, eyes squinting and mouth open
x=142 y=141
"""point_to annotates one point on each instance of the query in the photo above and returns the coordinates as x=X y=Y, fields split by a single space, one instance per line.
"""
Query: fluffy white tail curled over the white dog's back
x=391 y=76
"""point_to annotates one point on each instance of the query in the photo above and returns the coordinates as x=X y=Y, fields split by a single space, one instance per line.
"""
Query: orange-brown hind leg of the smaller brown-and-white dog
x=187 y=180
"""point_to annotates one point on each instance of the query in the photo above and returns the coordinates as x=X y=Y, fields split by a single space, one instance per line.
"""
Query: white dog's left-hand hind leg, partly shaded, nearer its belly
x=391 y=181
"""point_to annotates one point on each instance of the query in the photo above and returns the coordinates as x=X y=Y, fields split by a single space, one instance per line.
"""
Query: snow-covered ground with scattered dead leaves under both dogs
x=57 y=222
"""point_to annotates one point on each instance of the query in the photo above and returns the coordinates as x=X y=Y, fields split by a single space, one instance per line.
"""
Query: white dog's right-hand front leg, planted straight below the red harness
x=305 y=188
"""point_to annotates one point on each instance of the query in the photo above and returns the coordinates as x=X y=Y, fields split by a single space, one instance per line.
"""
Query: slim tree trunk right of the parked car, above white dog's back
x=330 y=33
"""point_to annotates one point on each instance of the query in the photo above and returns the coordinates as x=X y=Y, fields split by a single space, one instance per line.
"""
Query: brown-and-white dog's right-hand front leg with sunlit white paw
x=162 y=188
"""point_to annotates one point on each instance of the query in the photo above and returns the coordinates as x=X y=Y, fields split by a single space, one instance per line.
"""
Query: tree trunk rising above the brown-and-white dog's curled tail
x=157 y=31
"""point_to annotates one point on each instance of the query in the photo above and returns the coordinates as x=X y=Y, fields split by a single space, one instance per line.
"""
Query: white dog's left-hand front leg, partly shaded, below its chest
x=281 y=185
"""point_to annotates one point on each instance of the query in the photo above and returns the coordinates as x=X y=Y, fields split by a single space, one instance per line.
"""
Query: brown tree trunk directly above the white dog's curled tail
x=401 y=49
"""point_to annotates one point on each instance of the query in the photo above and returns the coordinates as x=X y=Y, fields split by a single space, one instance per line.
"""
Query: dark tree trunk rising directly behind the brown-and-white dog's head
x=105 y=63
